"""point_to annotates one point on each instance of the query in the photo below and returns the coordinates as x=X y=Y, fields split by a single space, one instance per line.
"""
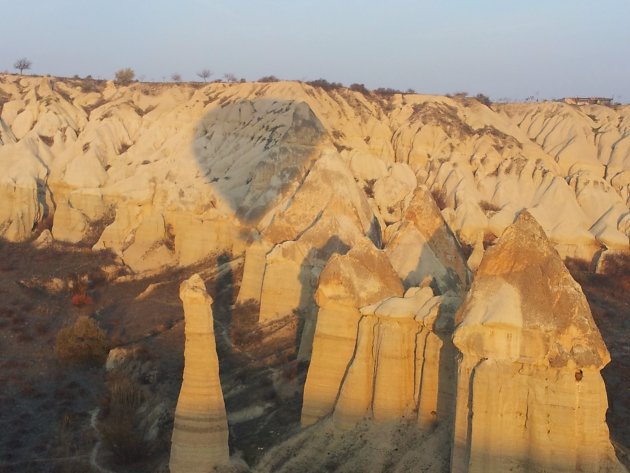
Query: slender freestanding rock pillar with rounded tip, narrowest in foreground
x=200 y=432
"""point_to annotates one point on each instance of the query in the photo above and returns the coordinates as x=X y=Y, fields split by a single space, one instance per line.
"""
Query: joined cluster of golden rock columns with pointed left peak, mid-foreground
x=377 y=354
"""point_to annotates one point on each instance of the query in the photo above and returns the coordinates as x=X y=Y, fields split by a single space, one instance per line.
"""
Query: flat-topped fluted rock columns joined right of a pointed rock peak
x=403 y=364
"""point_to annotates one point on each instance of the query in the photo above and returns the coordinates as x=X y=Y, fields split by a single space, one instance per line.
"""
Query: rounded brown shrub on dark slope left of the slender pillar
x=83 y=342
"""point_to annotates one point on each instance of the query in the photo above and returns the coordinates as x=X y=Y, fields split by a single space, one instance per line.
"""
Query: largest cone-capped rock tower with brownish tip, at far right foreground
x=530 y=396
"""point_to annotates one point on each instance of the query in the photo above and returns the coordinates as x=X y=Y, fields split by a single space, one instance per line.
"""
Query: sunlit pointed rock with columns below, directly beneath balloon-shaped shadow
x=328 y=214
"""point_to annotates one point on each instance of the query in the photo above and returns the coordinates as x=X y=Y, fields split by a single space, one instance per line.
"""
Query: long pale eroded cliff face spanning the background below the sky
x=219 y=159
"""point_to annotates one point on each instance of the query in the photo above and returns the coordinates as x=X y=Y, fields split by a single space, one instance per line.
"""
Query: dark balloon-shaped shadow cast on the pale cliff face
x=252 y=151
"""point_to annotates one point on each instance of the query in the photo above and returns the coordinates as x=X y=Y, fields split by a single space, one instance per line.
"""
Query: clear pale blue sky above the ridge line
x=506 y=49
